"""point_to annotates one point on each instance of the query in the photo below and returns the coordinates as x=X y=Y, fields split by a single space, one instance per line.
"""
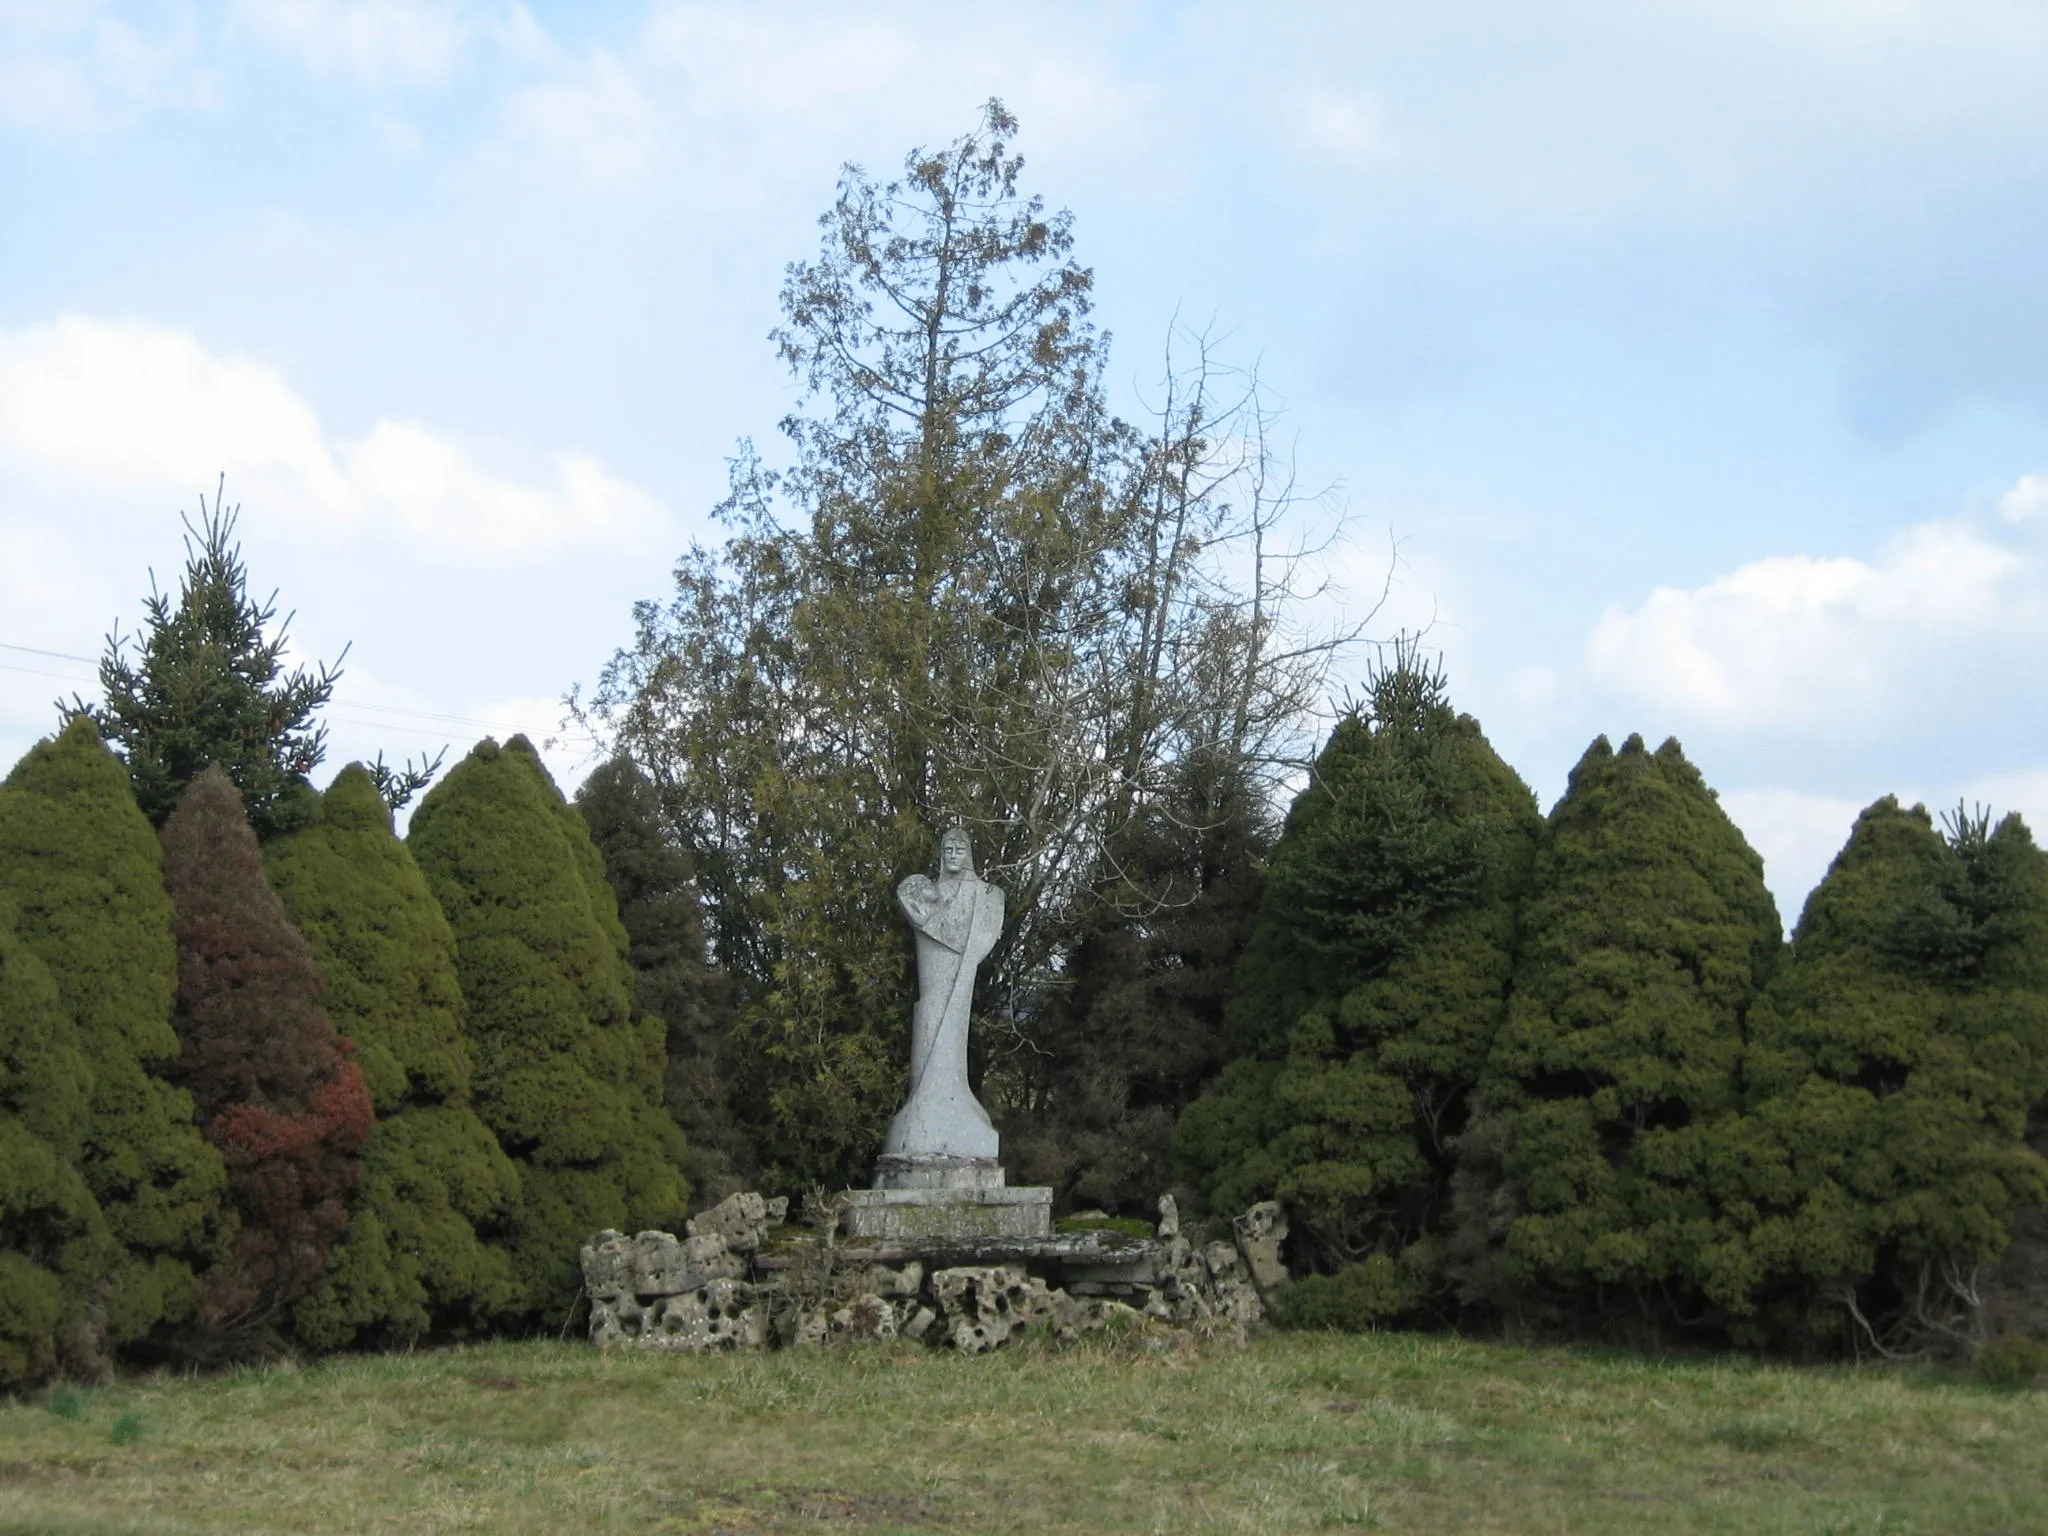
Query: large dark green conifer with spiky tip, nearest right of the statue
x=1373 y=986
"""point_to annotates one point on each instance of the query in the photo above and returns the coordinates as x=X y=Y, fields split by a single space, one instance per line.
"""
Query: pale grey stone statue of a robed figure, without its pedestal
x=959 y=916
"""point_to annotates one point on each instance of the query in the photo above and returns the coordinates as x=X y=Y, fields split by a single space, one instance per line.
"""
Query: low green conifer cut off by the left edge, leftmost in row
x=56 y=1254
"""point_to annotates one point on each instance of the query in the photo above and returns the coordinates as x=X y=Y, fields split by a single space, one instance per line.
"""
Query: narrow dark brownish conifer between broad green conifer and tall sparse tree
x=673 y=978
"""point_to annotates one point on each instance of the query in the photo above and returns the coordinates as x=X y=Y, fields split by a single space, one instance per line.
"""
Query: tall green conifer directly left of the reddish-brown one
x=87 y=880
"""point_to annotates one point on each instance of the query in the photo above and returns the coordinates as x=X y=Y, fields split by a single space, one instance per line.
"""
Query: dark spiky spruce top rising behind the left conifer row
x=210 y=687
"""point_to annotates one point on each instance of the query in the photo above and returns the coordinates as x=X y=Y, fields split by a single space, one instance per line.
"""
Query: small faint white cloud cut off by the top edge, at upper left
x=370 y=42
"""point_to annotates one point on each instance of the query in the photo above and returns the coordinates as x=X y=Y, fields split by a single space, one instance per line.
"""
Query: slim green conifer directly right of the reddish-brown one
x=437 y=1189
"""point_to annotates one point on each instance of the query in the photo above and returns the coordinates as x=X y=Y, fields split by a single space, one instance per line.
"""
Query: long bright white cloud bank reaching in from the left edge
x=105 y=407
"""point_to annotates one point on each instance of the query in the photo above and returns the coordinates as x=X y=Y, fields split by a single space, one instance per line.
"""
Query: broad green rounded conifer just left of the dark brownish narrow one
x=566 y=1076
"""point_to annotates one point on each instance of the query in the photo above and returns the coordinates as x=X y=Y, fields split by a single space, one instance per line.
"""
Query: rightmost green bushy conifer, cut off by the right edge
x=1891 y=1076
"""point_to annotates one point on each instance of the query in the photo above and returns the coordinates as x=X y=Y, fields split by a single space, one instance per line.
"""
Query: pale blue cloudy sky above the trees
x=1684 y=366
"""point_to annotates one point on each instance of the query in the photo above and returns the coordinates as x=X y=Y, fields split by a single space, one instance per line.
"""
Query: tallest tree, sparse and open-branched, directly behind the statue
x=990 y=601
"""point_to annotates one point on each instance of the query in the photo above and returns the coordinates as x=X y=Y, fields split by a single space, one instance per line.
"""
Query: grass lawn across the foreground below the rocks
x=1297 y=1433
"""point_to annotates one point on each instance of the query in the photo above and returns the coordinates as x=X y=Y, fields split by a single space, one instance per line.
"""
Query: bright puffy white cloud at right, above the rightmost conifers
x=1801 y=642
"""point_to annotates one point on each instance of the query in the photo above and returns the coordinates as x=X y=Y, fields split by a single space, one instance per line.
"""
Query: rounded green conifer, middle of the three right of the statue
x=1644 y=945
